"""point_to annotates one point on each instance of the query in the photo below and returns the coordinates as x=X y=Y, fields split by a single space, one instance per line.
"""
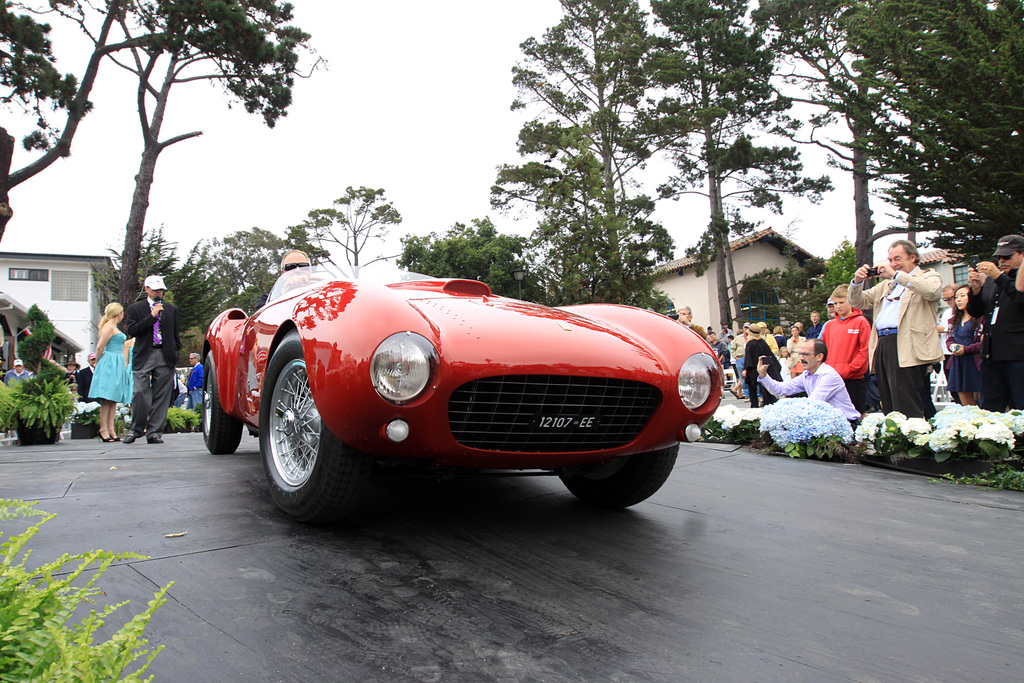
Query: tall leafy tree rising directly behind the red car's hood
x=587 y=76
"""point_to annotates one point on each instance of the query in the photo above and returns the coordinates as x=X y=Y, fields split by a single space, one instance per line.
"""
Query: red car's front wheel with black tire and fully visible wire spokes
x=313 y=476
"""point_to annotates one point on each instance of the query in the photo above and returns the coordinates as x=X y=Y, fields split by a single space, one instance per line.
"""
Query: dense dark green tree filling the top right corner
x=951 y=78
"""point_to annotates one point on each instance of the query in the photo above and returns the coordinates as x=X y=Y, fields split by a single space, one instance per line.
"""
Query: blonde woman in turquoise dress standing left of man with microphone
x=112 y=378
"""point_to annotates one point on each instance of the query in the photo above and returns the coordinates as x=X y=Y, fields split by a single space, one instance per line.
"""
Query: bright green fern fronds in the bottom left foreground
x=38 y=639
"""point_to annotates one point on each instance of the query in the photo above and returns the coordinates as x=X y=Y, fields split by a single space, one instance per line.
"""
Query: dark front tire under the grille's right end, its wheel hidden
x=624 y=482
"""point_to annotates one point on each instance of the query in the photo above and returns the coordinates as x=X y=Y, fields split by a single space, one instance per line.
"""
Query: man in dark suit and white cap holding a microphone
x=155 y=326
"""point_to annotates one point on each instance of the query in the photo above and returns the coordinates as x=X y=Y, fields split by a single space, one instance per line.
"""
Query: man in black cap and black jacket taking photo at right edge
x=995 y=297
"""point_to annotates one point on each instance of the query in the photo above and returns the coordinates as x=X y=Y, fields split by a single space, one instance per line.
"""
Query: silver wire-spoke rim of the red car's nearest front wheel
x=295 y=425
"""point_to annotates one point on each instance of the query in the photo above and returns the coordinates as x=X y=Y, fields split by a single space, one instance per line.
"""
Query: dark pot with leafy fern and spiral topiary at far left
x=40 y=406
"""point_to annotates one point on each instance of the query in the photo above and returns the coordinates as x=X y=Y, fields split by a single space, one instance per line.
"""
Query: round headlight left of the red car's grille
x=402 y=367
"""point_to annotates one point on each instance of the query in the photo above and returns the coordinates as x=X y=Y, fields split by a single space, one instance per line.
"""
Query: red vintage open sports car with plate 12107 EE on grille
x=345 y=374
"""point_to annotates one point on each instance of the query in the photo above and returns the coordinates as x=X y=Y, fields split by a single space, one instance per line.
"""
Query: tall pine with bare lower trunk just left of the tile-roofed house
x=718 y=72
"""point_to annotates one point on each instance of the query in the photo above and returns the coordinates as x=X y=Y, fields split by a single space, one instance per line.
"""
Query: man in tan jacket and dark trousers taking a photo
x=905 y=340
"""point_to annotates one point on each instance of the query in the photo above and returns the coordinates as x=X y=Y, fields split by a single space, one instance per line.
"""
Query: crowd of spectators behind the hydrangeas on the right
x=887 y=363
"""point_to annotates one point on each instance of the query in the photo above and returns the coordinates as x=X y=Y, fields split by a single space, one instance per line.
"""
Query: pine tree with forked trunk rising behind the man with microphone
x=248 y=48
